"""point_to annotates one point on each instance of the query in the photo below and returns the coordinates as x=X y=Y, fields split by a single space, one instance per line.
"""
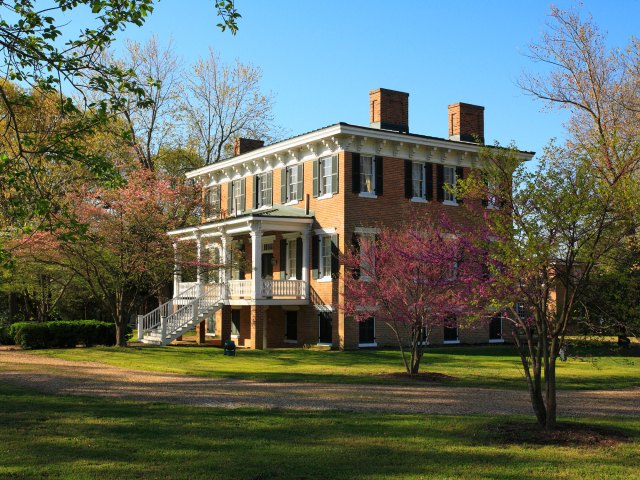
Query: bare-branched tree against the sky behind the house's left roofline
x=221 y=102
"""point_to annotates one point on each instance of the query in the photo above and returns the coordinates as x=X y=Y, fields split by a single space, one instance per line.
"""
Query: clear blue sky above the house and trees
x=321 y=58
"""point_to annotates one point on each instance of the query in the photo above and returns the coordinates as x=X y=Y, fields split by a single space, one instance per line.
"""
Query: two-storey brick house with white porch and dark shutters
x=278 y=216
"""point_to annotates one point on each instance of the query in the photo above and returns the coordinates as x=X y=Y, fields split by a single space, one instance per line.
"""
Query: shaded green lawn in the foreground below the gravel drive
x=78 y=437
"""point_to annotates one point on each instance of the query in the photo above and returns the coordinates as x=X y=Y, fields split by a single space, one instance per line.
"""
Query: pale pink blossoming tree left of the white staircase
x=123 y=250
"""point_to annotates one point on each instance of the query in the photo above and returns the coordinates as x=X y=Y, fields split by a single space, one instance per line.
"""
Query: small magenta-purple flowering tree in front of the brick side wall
x=414 y=279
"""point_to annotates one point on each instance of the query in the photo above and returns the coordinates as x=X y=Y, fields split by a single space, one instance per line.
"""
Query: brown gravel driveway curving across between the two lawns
x=62 y=377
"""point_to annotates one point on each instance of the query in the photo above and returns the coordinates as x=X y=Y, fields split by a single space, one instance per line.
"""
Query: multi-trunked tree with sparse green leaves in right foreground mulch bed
x=559 y=222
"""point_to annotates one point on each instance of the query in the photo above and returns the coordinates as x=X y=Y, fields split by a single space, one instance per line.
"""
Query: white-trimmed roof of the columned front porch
x=283 y=218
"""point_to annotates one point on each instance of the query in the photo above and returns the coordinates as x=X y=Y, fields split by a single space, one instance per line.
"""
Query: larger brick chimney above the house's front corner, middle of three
x=389 y=110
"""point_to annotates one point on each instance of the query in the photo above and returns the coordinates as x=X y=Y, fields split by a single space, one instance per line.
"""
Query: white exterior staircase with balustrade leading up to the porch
x=180 y=314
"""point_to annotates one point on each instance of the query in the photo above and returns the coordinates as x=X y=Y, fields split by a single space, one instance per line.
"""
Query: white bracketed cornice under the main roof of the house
x=337 y=138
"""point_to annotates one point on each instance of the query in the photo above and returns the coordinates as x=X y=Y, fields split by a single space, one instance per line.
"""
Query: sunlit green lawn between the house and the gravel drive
x=495 y=366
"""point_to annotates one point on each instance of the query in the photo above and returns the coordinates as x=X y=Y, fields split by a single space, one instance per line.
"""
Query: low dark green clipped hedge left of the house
x=63 y=334
